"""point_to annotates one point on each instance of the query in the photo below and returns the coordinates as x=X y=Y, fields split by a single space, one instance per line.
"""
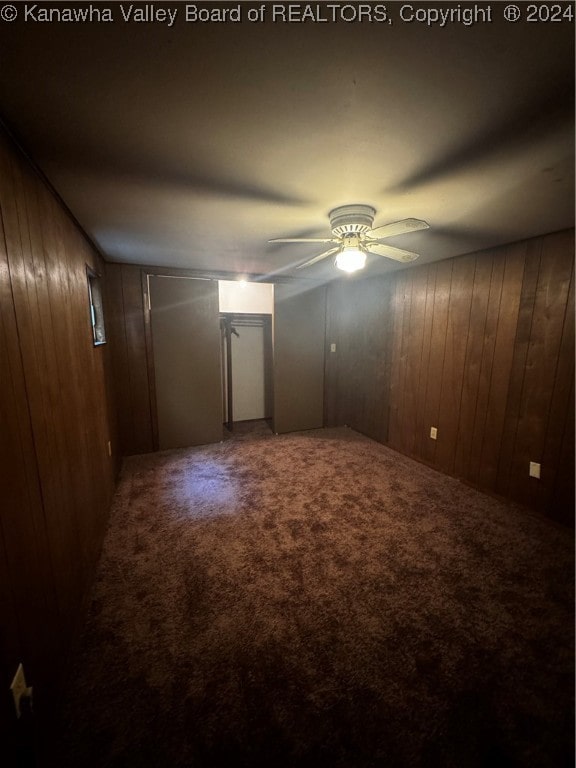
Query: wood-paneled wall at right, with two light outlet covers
x=481 y=347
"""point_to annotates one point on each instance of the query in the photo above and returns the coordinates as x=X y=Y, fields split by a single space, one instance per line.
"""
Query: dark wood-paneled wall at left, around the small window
x=56 y=410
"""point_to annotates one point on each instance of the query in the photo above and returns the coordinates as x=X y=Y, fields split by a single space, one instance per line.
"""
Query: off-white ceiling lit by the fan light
x=192 y=145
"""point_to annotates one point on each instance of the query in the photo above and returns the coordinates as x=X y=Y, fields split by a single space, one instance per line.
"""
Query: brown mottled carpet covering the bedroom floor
x=316 y=599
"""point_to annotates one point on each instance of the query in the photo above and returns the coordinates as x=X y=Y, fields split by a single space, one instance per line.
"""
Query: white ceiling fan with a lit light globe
x=354 y=238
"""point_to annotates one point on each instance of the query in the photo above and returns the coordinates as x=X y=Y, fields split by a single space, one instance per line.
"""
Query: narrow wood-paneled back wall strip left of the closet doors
x=133 y=371
